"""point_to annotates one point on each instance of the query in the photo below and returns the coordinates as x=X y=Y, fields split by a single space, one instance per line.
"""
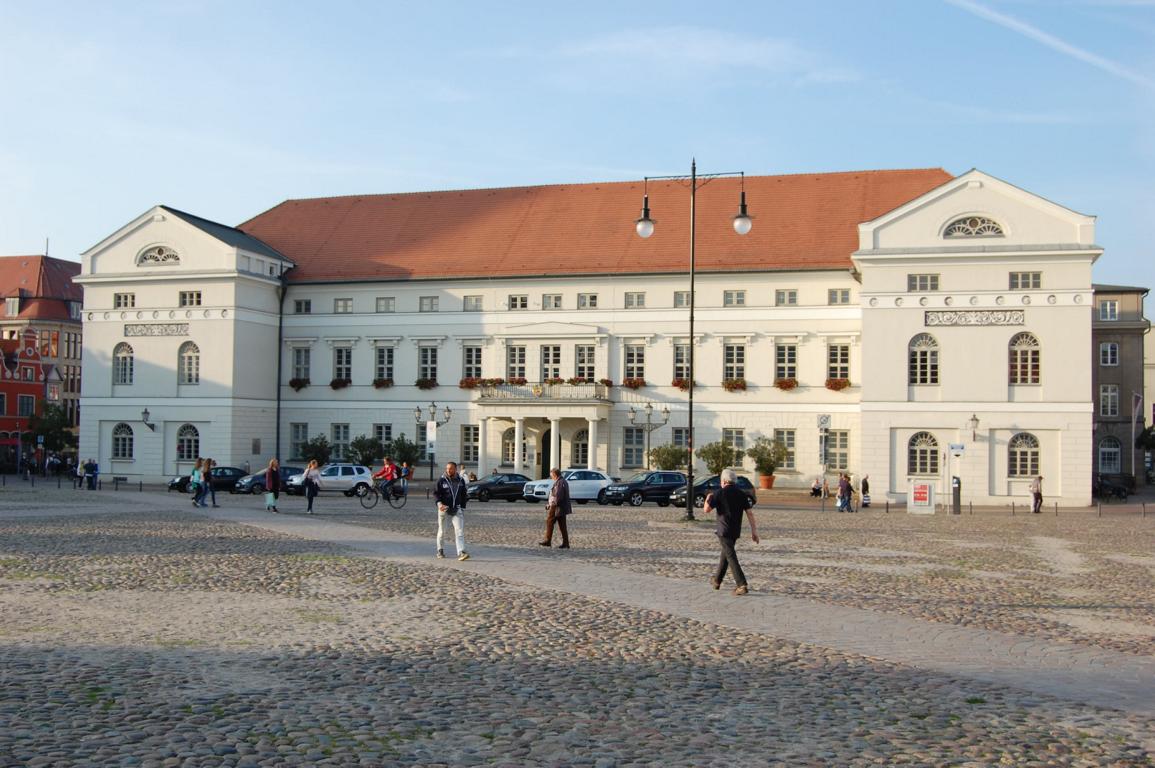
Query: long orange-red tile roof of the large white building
x=801 y=222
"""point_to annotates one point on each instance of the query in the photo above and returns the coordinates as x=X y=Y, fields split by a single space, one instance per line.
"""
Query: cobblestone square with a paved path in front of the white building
x=139 y=632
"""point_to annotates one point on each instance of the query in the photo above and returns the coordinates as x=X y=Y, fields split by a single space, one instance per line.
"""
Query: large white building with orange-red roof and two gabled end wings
x=957 y=311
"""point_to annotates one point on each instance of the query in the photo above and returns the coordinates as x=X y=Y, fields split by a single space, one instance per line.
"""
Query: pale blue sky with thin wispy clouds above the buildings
x=226 y=109
